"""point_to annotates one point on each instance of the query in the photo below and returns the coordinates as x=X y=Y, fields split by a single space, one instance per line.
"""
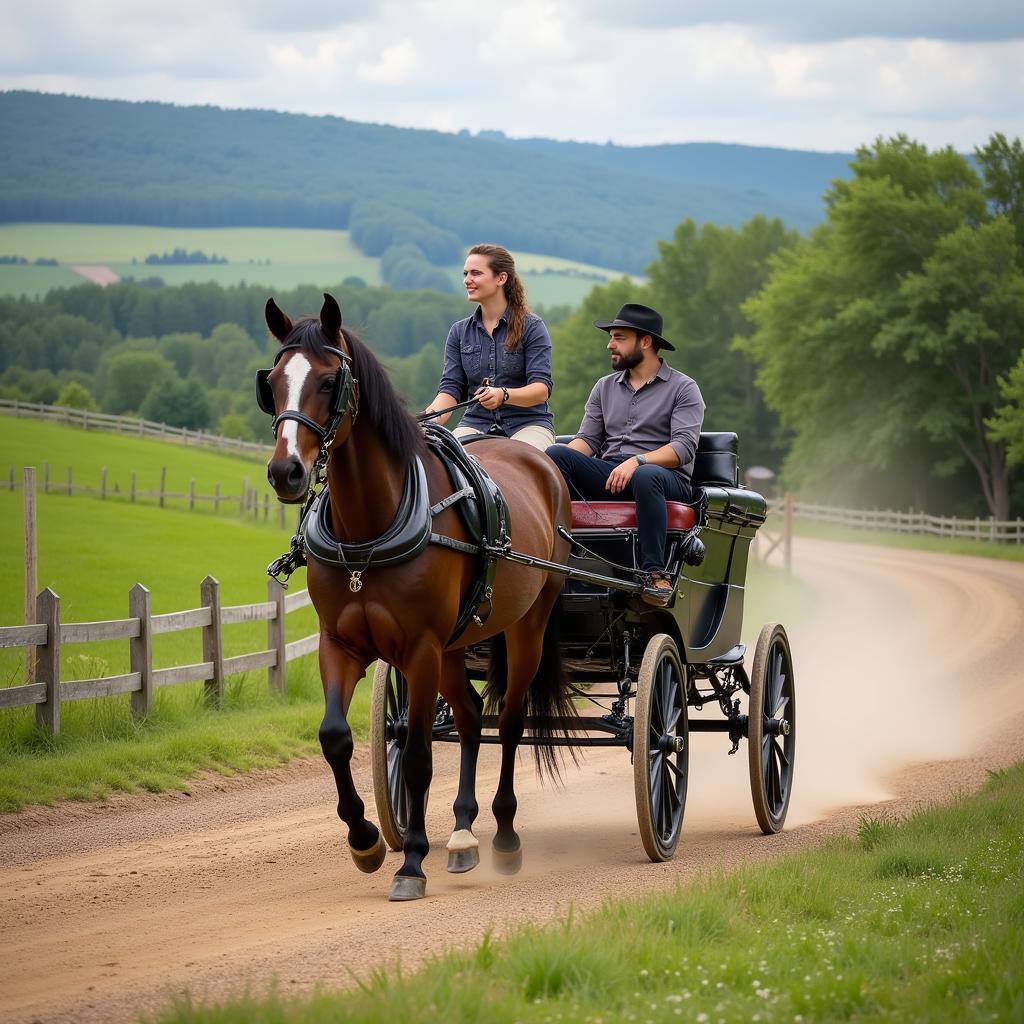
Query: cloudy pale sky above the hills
x=812 y=76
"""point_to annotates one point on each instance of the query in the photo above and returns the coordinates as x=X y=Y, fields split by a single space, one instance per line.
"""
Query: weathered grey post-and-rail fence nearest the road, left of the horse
x=49 y=635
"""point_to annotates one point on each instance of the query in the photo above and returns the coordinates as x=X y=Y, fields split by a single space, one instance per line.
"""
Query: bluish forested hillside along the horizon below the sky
x=77 y=160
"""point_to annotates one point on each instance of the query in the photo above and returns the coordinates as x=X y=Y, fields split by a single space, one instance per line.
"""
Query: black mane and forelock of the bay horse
x=379 y=401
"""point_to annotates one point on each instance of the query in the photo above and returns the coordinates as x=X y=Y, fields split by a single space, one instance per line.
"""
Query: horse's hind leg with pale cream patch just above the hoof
x=467 y=707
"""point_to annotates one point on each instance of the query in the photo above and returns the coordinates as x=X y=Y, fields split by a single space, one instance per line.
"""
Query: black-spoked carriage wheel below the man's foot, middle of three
x=661 y=748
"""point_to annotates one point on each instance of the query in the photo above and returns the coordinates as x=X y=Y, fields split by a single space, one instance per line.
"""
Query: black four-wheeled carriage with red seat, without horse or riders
x=639 y=673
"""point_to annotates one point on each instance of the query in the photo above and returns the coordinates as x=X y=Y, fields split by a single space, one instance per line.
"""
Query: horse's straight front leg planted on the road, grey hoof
x=423 y=671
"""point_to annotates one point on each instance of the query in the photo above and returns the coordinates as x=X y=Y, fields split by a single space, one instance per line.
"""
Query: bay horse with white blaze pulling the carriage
x=332 y=399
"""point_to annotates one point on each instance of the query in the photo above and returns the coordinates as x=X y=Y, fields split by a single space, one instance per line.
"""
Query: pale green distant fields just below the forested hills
x=277 y=258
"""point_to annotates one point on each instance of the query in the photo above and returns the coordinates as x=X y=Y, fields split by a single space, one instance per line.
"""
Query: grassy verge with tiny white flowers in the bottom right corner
x=921 y=920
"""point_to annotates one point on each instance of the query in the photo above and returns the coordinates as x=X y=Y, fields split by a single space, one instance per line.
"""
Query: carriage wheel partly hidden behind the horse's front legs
x=389 y=732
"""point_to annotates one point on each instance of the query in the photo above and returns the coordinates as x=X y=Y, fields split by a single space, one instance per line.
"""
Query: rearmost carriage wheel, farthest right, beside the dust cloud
x=773 y=729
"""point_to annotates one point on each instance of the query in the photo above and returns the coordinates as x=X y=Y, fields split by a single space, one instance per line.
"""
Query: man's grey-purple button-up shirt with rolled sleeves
x=620 y=422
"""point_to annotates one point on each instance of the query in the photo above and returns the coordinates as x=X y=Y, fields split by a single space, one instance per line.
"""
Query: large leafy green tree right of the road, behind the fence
x=881 y=338
